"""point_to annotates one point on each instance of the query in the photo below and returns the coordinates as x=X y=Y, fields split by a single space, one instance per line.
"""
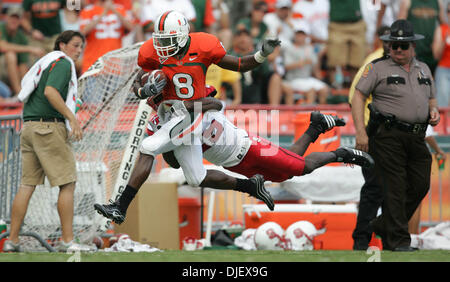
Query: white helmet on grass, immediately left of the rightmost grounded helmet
x=269 y=236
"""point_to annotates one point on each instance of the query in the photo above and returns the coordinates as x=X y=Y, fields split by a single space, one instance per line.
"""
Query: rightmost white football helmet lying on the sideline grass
x=300 y=235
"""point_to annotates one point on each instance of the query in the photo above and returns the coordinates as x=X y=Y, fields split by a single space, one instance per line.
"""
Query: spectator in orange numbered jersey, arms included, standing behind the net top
x=104 y=24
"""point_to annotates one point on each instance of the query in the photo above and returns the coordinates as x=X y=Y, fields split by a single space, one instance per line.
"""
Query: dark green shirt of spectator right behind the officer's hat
x=424 y=15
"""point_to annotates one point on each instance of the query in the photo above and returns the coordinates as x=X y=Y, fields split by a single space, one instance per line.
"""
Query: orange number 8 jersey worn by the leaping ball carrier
x=185 y=77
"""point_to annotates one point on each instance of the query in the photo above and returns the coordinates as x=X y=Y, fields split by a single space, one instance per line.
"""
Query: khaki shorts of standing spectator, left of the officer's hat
x=346 y=44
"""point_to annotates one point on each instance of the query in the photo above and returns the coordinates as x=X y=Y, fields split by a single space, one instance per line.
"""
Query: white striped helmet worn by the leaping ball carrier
x=171 y=33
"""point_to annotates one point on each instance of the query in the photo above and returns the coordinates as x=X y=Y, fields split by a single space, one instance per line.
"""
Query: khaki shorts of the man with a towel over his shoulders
x=46 y=151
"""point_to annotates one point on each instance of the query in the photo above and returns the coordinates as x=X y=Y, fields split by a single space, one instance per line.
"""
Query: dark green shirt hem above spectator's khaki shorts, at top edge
x=345 y=11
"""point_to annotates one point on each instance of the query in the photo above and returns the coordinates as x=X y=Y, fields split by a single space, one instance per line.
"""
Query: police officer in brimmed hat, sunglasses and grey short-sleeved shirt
x=404 y=103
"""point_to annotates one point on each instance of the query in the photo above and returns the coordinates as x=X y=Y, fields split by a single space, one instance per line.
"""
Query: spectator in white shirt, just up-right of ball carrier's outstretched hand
x=281 y=23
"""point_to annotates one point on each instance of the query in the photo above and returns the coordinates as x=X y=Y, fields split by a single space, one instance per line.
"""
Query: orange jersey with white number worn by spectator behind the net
x=106 y=35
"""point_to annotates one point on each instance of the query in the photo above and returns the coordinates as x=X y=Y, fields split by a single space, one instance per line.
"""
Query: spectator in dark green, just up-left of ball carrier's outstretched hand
x=254 y=22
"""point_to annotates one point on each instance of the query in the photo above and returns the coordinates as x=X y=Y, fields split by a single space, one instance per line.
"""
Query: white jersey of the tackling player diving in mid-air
x=223 y=143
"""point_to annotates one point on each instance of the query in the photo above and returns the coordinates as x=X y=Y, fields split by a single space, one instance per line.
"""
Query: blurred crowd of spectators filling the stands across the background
x=324 y=42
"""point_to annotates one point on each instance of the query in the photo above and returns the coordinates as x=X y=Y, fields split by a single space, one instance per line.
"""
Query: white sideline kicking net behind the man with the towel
x=107 y=116
